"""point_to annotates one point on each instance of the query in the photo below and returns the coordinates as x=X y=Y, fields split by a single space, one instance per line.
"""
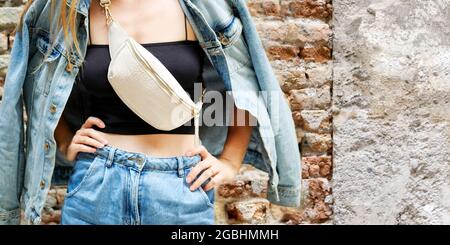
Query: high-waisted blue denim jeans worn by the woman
x=114 y=186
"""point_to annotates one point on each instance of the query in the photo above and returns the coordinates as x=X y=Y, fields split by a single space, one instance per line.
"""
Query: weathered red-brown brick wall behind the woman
x=297 y=37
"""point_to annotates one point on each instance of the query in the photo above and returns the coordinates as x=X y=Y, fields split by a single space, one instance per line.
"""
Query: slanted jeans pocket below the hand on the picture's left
x=84 y=166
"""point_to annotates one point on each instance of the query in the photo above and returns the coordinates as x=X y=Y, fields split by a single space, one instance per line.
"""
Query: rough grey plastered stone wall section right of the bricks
x=391 y=112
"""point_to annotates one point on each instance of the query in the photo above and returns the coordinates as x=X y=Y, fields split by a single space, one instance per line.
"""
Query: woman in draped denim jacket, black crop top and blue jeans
x=126 y=172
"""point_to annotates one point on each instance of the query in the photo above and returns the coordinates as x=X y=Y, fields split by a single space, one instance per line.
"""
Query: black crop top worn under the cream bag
x=92 y=94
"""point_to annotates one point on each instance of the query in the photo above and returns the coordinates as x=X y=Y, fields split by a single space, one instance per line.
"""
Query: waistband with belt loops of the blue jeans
x=146 y=162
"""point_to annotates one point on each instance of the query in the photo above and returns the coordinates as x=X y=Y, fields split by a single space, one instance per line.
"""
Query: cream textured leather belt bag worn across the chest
x=144 y=84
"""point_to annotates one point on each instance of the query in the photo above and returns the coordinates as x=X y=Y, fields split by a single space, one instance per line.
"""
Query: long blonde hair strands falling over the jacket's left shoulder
x=66 y=20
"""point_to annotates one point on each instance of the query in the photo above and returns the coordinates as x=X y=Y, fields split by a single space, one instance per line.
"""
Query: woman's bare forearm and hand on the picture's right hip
x=226 y=167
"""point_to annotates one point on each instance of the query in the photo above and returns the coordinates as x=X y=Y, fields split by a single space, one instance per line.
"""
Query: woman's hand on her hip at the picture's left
x=86 y=139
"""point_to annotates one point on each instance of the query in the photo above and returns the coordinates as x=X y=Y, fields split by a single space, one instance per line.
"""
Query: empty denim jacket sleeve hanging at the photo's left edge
x=12 y=157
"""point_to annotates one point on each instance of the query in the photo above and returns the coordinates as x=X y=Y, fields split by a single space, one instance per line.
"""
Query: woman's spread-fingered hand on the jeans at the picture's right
x=217 y=170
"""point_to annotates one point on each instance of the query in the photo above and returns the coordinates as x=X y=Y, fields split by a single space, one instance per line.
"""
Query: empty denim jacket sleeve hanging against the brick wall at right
x=288 y=190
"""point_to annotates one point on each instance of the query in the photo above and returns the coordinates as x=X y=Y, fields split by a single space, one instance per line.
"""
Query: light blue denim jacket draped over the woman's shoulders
x=227 y=35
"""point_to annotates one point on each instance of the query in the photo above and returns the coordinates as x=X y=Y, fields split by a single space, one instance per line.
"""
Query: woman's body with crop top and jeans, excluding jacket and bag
x=170 y=38
